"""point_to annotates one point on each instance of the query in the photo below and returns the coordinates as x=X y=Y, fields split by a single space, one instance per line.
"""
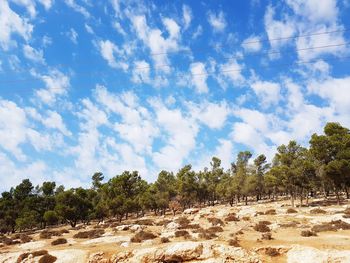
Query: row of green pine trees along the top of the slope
x=295 y=171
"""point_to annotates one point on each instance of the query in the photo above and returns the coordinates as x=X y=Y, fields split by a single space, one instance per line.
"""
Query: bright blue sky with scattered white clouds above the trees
x=119 y=85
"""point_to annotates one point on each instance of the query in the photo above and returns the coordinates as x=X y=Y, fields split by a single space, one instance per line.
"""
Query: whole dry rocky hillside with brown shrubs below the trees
x=265 y=232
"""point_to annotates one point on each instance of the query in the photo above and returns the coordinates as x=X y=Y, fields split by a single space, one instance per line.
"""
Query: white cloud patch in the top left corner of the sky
x=12 y=23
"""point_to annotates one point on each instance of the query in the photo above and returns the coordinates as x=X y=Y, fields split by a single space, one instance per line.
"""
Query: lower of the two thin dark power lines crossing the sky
x=209 y=73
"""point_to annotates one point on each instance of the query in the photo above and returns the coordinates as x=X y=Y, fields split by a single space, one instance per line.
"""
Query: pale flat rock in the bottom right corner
x=308 y=254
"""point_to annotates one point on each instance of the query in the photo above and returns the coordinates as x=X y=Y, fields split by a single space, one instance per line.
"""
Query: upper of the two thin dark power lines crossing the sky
x=167 y=65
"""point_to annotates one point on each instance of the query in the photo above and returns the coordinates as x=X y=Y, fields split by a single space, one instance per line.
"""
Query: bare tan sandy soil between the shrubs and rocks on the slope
x=317 y=248
